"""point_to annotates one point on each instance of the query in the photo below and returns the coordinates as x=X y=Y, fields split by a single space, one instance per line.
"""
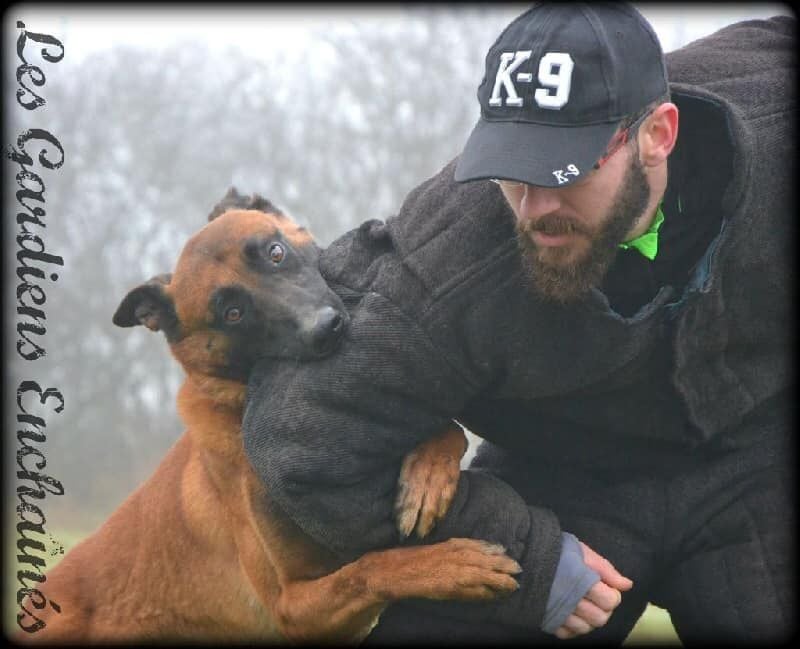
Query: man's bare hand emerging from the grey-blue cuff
x=596 y=607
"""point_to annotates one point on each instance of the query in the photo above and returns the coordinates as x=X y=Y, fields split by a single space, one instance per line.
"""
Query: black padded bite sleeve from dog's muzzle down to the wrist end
x=327 y=439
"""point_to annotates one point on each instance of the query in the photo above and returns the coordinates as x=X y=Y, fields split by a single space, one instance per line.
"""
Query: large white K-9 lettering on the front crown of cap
x=555 y=76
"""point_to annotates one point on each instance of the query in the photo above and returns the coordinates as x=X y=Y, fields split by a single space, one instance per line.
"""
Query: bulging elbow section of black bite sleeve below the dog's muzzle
x=327 y=437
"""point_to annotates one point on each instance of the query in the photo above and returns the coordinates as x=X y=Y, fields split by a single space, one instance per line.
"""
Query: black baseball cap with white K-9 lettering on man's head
x=558 y=81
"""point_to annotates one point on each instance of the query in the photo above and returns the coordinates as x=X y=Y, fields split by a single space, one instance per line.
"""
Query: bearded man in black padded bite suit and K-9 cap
x=612 y=316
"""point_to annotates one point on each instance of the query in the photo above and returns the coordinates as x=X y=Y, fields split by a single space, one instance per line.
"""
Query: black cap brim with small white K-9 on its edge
x=536 y=154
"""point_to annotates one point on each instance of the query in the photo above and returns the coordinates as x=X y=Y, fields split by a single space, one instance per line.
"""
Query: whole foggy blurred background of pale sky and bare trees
x=333 y=113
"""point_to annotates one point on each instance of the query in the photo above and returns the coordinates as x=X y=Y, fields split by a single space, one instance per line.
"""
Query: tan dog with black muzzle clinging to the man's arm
x=199 y=551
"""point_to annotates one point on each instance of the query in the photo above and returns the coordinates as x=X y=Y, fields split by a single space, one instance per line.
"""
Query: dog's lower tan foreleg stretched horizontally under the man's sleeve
x=345 y=605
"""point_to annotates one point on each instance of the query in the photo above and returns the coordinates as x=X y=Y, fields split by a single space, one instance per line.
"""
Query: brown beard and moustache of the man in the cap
x=556 y=277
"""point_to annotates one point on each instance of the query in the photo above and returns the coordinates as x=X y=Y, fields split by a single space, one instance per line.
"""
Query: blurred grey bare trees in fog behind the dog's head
x=336 y=132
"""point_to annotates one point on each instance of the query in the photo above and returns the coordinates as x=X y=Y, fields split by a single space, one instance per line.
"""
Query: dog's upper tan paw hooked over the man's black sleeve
x=428 y=481
